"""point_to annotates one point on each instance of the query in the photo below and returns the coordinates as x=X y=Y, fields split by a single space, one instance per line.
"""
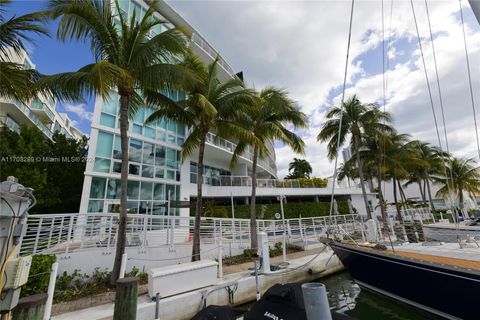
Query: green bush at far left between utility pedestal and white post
x=39 y=275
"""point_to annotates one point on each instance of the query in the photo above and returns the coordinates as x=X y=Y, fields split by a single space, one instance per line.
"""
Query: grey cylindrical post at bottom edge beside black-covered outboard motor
x=316 y=301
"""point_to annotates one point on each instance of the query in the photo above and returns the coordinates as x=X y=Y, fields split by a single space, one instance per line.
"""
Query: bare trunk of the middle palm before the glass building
x=199 y=205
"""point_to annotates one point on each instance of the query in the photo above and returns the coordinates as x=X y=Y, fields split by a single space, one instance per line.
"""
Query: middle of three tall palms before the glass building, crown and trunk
x=209 y=106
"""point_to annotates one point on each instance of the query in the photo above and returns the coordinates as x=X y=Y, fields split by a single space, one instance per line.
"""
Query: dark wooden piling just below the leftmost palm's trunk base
x=126 y=299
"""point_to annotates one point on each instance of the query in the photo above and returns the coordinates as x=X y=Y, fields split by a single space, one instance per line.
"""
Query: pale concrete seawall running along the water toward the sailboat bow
x=186 y=305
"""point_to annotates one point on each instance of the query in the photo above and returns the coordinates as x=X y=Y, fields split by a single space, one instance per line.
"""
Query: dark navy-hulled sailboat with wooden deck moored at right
x=438 y=277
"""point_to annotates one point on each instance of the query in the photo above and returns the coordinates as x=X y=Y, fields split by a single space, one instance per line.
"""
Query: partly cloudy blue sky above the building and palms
x=301 y=46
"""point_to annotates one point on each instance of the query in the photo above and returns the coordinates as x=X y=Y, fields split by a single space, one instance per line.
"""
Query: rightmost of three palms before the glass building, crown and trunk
x=267 y=119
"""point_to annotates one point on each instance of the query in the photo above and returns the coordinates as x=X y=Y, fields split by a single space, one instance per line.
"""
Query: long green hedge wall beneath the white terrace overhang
x=292 y=210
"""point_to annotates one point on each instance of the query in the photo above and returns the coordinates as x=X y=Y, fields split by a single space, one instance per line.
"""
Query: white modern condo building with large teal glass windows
x=156 y=172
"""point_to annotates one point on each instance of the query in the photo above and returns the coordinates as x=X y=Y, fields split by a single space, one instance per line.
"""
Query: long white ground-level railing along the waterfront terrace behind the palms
x=62 y=233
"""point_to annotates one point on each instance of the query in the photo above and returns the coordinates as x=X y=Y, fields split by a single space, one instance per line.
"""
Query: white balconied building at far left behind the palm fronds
x=40 y=112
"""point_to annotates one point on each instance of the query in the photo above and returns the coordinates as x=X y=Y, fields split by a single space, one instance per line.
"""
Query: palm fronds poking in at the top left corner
x=15 y=81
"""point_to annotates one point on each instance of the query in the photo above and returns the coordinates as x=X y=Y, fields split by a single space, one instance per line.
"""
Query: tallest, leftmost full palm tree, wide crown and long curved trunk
x=129 y=60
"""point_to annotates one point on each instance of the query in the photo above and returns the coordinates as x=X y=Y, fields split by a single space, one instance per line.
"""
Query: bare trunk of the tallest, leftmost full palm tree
x=122 y=223
